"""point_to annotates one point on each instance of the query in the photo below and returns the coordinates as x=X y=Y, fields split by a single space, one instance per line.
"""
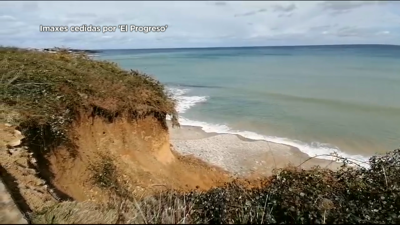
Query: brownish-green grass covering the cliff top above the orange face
x=57 y=89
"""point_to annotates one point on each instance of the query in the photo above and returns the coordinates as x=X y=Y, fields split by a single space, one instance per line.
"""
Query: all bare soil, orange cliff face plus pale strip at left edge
x=140 y=152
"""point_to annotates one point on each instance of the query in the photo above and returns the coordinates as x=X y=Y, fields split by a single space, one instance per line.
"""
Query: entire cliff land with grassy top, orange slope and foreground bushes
x=83 y=141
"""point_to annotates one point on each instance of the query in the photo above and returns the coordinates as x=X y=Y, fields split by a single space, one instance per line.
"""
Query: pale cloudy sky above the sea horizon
x=200 y=23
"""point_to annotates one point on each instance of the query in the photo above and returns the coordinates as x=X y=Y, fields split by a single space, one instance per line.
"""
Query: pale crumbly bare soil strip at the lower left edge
x=23 y=190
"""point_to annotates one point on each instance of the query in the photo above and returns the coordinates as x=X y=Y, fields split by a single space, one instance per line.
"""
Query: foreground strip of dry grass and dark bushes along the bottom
x=349 y=195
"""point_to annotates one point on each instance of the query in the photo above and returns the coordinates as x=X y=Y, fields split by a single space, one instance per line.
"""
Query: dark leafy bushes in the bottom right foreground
x=349 y=195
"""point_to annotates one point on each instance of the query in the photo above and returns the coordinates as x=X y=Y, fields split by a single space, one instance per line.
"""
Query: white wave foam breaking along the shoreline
x=314 y=149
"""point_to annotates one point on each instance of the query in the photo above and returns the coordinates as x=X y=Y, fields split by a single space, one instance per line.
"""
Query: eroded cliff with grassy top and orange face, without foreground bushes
x=90 y=131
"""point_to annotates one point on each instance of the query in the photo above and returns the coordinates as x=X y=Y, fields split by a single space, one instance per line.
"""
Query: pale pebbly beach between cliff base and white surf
x=239 y=155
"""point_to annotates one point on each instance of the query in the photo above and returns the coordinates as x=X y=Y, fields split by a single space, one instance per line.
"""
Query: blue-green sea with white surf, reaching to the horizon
x=342 y=99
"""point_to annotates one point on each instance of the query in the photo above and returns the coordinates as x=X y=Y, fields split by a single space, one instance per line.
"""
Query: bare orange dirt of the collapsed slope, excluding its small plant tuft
x=141 y=153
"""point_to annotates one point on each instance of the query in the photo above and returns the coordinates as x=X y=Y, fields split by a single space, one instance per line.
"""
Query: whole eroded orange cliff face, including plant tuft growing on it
x=125 y=158
